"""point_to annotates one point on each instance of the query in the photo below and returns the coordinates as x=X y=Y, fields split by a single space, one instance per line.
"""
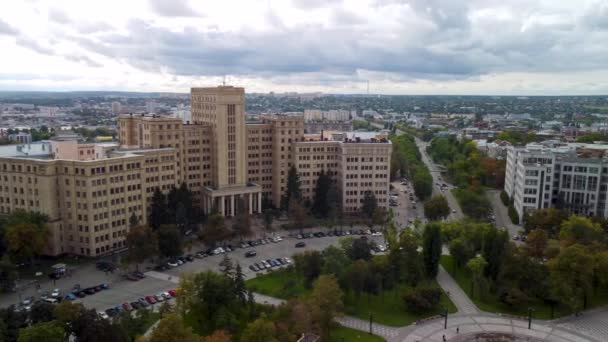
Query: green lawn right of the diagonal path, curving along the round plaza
x=491 y=303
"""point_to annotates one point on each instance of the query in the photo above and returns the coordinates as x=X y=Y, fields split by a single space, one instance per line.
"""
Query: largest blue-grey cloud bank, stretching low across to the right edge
x=449 y=46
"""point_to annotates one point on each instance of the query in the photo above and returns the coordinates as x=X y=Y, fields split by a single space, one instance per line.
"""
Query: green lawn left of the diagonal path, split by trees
x=387 y=308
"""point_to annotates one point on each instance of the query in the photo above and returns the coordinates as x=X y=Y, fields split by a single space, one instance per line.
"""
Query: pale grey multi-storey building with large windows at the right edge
x=570 y=176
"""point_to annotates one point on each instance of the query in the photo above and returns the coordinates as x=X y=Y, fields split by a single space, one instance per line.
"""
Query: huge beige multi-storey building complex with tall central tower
x=89 y=191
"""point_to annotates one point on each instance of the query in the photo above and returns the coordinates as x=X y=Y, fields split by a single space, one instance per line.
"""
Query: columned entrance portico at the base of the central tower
x=226 y=200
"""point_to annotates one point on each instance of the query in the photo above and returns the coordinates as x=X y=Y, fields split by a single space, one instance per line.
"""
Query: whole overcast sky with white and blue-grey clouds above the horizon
x=401 y=46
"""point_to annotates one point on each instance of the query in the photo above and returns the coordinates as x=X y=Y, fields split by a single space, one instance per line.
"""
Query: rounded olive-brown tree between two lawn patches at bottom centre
x=327 y=302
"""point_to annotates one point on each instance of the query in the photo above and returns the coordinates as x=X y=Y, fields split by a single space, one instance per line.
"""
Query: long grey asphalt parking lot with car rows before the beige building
x=155 y=282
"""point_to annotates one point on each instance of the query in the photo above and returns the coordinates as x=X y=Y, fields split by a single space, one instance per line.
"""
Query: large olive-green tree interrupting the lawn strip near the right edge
x=572 y=276
